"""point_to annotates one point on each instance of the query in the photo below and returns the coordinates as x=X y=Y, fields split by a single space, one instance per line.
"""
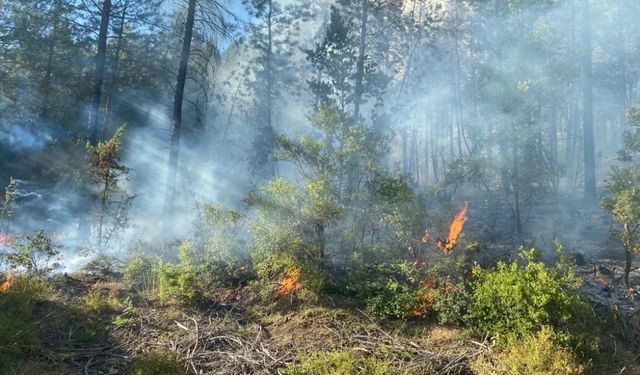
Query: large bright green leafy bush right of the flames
x=514 y=301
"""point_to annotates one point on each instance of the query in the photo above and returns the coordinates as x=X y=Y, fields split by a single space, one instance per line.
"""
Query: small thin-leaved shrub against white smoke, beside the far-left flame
x=35 y=253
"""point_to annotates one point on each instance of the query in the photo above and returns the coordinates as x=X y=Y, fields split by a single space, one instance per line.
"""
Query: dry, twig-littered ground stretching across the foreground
x=94 y=325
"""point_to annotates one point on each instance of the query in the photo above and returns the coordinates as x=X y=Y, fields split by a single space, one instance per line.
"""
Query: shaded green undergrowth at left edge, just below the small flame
x=18 y=335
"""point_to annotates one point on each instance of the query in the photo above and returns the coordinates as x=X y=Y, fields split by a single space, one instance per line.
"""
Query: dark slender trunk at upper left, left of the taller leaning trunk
x=101 y=58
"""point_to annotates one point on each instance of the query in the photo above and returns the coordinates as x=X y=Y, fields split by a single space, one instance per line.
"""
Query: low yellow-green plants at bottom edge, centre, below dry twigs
x=345 y=362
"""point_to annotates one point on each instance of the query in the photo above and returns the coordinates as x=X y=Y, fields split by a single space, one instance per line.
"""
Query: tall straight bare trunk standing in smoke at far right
x=587 y=92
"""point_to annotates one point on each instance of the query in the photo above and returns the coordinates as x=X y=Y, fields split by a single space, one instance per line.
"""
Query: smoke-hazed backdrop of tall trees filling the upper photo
x=492 y=97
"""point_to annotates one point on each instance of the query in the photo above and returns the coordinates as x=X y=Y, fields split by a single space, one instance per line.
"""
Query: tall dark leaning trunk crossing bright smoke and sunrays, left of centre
x=176 y=119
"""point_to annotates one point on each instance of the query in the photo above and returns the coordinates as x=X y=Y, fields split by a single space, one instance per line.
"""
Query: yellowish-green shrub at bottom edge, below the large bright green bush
x=537 y=354
